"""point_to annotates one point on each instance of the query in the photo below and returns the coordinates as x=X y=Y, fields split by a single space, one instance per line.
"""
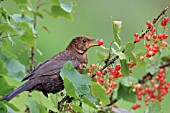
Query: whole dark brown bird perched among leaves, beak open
x=46 y=76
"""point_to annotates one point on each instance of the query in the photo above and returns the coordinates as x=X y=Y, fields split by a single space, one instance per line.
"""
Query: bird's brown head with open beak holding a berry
x=81 y=44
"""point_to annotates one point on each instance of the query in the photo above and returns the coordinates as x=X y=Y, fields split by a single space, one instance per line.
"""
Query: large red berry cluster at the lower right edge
x=153 y=90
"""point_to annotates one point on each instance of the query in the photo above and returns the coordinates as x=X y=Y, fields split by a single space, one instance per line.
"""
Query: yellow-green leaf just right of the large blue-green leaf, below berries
x=98 y=92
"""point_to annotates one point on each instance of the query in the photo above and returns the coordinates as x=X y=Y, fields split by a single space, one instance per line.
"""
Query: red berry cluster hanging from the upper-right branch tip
x=153 y=41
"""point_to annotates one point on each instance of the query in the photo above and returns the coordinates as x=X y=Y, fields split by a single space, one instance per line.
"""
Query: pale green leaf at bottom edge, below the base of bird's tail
x=33 y=106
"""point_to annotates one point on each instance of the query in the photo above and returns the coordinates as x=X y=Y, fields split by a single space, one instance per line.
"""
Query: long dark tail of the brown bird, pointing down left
x=25 y=87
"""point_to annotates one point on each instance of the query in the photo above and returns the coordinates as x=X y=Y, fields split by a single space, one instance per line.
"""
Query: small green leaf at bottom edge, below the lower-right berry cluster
x=154 y=108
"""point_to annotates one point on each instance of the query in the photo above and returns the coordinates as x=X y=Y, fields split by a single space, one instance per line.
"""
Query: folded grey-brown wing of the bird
x=51 y=67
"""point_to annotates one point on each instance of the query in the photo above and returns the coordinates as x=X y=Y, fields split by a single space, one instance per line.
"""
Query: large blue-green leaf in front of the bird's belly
x=80 y=82
